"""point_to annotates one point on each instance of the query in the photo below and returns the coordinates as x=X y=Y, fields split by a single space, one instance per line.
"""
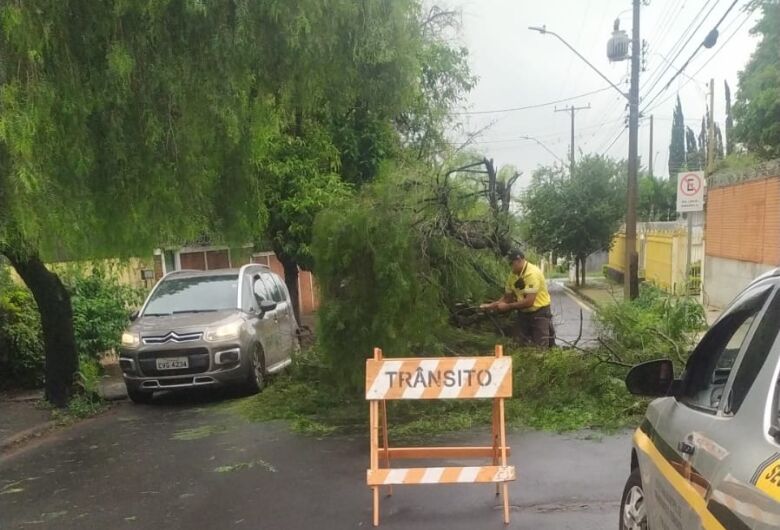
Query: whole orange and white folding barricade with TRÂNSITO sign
x=438 y=378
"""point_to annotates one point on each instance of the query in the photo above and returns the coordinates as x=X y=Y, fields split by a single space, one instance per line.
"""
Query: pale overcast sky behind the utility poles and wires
x=517 y=67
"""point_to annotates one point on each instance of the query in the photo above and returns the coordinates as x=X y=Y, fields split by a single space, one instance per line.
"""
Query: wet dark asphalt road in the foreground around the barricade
x=185 y=463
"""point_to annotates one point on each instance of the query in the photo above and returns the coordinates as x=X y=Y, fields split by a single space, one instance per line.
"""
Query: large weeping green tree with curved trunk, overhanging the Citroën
x=127 y=124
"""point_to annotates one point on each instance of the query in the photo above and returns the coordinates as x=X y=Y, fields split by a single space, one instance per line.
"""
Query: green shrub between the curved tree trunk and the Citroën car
x=101 y=305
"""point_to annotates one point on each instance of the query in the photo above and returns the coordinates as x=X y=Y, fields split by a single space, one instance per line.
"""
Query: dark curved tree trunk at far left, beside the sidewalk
x=54 y=305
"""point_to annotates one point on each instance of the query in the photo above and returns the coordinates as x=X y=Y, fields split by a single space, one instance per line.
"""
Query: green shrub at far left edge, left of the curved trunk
x=21 y=343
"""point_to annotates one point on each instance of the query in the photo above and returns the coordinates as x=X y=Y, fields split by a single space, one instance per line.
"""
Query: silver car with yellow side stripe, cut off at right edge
x=707 y=454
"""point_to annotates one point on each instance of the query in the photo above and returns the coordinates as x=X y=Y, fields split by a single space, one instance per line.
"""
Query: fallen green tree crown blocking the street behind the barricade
x=391 y=277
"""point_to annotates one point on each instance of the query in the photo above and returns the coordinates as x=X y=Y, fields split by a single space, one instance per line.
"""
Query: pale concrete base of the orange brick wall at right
x=724 y=278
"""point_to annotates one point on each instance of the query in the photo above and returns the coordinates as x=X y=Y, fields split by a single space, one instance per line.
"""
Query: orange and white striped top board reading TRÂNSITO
x=442 y=378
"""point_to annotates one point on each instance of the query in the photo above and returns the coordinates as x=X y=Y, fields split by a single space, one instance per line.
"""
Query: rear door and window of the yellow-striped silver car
x=742 y=459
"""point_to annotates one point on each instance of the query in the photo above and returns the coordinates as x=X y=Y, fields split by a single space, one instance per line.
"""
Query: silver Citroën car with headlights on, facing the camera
x=209 y=328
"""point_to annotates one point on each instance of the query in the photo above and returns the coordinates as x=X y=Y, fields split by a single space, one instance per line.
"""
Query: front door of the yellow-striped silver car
x=682 y=427
